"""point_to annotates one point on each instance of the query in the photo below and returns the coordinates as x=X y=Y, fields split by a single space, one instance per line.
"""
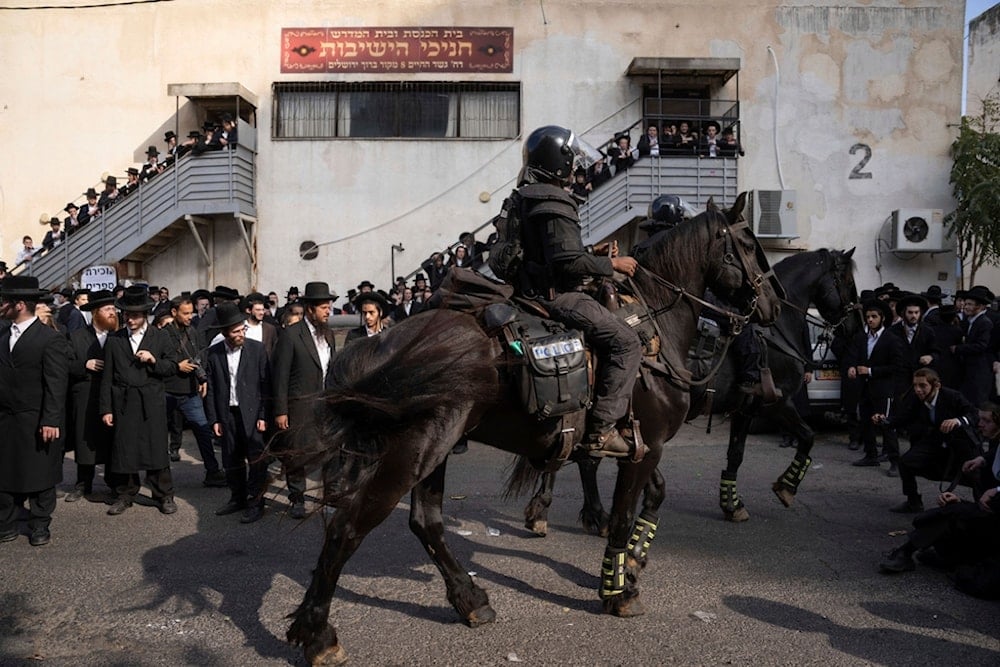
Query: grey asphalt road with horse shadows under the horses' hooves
x=794 y=586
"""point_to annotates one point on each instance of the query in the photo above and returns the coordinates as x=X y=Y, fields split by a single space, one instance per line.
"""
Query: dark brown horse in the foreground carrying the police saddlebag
x=402 y=399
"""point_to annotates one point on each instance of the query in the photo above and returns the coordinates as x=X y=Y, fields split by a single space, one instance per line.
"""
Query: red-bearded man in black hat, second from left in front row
x=89 y=437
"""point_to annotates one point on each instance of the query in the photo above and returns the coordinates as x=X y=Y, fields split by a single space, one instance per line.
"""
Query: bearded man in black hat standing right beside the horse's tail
x=301 y=371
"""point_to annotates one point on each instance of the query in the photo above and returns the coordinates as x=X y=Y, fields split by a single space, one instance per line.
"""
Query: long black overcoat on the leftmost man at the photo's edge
x=33 y=382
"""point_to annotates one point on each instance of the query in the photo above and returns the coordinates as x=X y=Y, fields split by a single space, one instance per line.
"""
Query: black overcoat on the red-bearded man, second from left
x=87 y=435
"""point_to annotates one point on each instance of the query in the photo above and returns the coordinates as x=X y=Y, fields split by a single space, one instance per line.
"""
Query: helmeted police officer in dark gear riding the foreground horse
x=556 y=268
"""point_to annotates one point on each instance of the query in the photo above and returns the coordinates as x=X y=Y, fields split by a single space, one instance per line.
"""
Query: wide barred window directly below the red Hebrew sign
x=423 y=110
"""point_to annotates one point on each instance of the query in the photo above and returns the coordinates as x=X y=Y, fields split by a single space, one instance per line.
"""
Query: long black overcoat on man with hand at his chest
x=133 y=392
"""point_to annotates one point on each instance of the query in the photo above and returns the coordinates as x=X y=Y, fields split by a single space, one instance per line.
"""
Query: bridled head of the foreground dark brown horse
x=738 y=270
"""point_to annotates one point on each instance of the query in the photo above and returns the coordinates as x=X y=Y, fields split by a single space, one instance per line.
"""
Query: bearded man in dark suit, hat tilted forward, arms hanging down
x=238 y=385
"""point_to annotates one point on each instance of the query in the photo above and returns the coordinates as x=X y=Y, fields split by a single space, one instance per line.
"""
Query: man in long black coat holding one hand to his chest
x=136 y=361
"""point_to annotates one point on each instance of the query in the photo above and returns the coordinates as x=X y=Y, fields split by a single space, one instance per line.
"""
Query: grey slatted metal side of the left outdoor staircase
x=216 y=184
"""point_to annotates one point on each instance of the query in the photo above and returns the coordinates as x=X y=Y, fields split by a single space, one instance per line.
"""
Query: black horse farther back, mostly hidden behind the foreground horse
x=824 y=278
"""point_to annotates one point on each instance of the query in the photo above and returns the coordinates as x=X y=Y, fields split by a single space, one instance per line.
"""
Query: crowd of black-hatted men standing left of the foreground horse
x=115 y=376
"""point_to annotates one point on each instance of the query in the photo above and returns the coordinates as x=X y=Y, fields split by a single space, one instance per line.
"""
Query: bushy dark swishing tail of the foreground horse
x=387 y=388
